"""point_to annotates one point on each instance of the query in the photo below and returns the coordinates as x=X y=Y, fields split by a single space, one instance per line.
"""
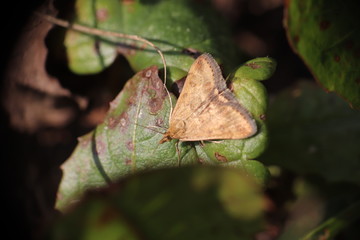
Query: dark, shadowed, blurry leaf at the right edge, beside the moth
x=313 y=132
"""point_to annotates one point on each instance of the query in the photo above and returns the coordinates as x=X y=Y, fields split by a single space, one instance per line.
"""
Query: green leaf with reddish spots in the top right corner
x=326 y=35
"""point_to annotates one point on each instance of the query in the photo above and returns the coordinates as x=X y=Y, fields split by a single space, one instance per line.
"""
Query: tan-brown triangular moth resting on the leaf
x=207 y=109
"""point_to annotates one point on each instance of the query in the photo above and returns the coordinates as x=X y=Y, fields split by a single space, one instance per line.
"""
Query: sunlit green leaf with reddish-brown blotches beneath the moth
x=128 y=140
